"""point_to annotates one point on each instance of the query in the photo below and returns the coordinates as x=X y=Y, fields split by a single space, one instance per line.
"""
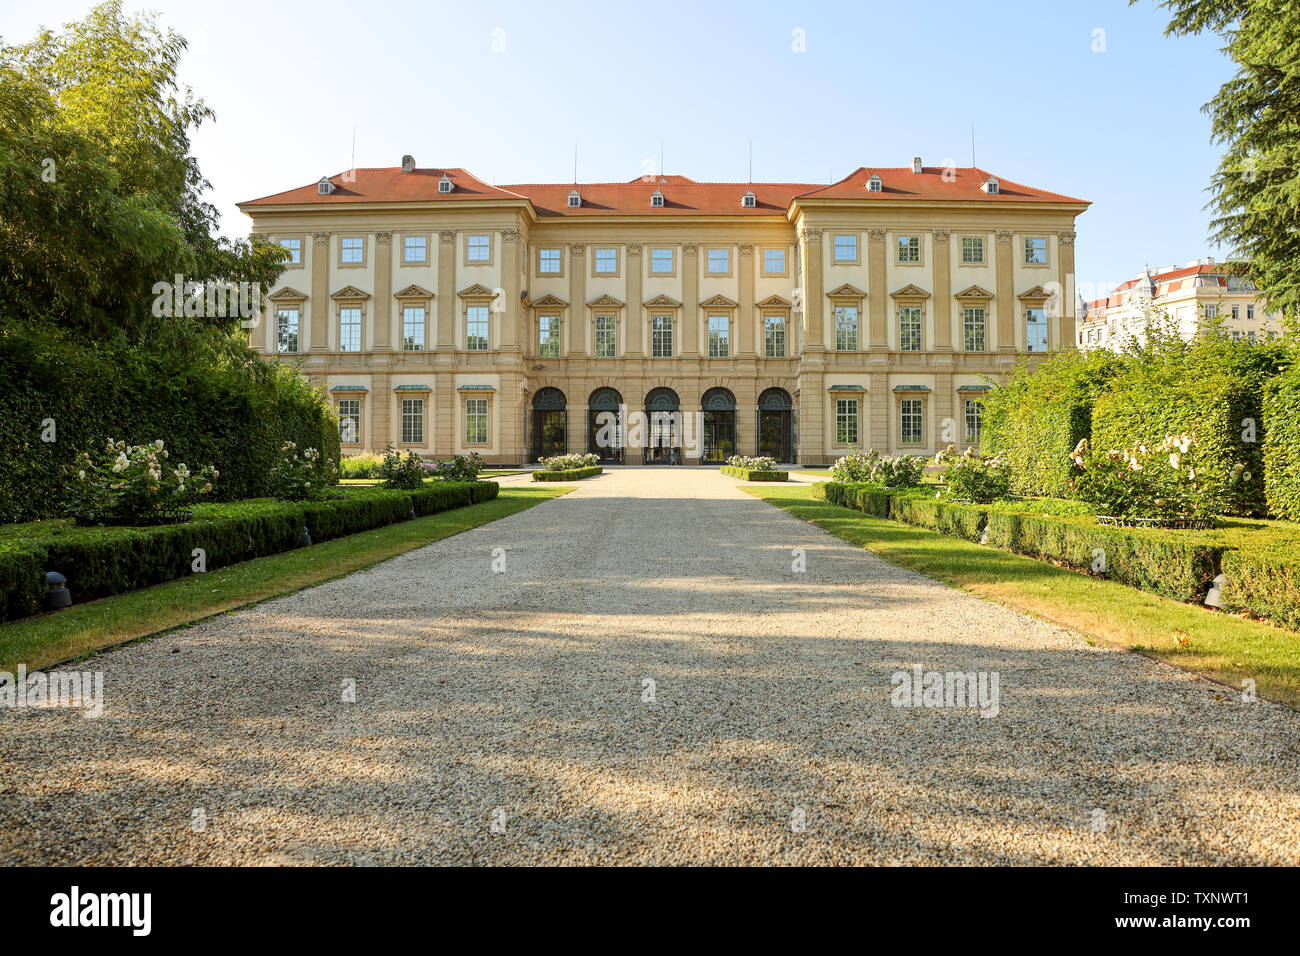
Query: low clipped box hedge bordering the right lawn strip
x=1262 y=561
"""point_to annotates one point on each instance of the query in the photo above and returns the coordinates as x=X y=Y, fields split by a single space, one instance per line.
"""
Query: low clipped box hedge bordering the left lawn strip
x=103 y=561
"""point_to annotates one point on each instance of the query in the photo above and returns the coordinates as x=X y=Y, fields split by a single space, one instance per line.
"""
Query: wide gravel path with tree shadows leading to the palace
x=506 y=717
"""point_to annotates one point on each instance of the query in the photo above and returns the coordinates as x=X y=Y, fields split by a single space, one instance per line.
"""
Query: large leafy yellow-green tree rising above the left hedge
x=102 y=198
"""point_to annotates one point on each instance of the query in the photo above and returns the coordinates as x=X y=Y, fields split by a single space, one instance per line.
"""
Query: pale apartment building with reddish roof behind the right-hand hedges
x=1182 y=299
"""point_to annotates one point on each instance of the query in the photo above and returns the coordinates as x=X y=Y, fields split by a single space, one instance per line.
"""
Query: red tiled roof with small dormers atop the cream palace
x=682 y=196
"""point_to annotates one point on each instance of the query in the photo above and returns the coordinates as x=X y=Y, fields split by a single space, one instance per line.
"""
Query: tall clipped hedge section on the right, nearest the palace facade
x=1041 y=414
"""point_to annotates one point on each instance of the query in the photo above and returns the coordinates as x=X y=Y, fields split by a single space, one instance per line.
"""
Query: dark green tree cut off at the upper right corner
x=1256 y=191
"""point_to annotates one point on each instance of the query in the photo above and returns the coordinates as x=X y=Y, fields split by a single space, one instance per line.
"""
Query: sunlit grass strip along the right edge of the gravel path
x=1211 y=643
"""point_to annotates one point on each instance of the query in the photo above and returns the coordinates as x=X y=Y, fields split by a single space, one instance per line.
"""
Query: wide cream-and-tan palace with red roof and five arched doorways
x=800 y=321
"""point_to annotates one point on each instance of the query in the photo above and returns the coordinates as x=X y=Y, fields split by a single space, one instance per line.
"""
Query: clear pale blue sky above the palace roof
x=877 y=85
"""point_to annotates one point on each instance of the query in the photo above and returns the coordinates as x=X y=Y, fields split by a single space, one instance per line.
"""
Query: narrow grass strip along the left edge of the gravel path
x=83 y=629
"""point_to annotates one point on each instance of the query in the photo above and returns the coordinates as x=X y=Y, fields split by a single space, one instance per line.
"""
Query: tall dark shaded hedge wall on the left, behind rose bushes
x=232 y=410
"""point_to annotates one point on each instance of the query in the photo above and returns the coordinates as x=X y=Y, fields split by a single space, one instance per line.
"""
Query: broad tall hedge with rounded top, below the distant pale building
x=1214 y=388
